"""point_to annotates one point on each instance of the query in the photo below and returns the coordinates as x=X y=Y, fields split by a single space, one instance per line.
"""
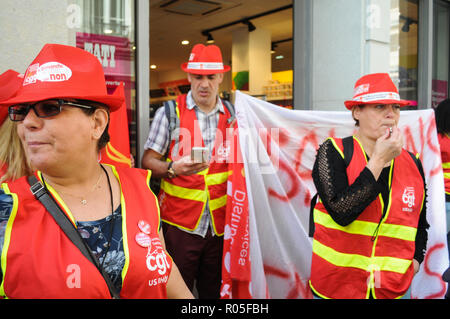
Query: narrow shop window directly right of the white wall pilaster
x=404 y=48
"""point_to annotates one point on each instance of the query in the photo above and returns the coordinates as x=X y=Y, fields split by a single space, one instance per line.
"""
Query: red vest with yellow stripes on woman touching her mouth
x=373 y=254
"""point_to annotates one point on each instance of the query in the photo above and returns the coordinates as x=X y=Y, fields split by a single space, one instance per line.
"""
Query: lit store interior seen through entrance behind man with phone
x=255 y=38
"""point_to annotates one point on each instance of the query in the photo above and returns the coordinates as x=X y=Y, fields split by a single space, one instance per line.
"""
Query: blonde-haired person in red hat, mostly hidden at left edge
x=13 y=162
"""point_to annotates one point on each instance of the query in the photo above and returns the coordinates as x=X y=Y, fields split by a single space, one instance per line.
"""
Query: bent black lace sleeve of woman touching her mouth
x=343 y=202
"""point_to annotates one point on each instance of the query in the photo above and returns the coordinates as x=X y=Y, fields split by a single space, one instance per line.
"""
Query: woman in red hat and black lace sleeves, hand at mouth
x=370 y=227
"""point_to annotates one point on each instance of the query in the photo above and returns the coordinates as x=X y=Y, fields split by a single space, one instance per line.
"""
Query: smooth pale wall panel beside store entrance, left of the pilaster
x=338 y=51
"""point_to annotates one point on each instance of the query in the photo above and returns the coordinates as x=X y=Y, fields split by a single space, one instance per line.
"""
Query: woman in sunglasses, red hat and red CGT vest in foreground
x=110 y=245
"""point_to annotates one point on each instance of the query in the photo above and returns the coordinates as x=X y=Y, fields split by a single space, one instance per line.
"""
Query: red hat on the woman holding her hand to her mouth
x=375 y=88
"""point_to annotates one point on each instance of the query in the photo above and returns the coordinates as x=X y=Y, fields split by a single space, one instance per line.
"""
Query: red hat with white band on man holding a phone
x=205 y=60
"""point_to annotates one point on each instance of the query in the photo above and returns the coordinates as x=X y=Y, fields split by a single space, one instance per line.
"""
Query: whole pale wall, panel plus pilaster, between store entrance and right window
x=350 y=38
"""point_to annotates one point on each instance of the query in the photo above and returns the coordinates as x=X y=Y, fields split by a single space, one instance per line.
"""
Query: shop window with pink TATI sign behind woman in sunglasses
x=107 y=30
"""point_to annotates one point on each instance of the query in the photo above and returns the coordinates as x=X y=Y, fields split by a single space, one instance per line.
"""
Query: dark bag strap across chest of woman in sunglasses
x=41 y=194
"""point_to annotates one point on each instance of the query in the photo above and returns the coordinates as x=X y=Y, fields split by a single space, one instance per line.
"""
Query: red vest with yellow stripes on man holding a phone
x=183 y=198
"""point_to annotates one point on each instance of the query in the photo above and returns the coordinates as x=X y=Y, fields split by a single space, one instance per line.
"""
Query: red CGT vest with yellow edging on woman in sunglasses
x=41 y=262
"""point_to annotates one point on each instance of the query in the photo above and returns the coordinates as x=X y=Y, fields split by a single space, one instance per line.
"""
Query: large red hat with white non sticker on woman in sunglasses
x=62 y=71
